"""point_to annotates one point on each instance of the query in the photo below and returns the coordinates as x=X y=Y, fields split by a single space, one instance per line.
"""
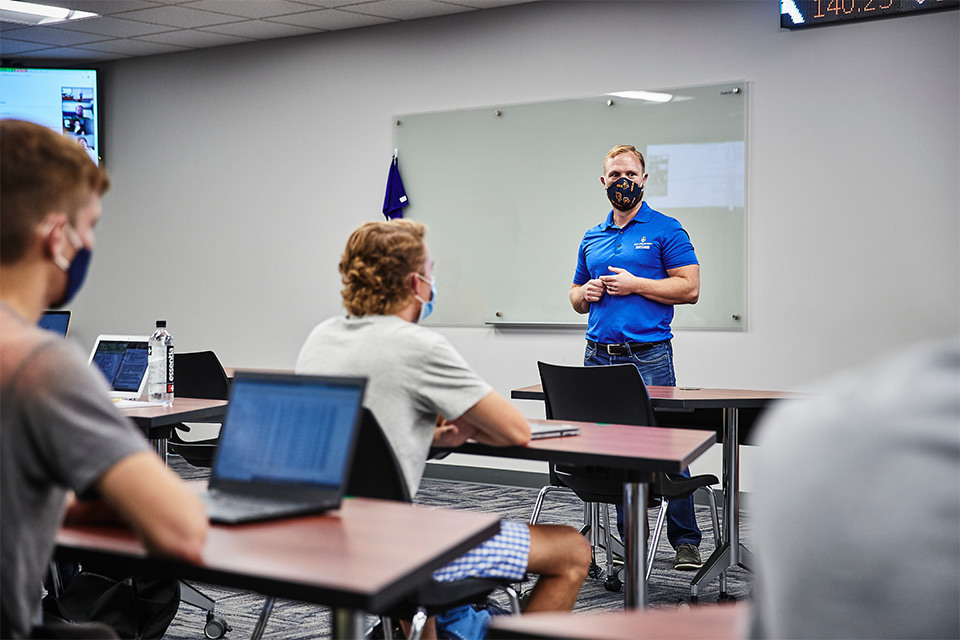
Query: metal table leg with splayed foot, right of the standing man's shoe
x=730 y=553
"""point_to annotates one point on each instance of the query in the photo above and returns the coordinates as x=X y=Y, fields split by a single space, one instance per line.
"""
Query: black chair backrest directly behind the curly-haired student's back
x=376 y=472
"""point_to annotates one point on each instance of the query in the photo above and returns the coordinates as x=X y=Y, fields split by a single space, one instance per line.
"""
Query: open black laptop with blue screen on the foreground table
x=286 y=446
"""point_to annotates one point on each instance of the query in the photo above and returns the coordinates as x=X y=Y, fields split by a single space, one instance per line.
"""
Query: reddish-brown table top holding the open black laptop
x=367 y=555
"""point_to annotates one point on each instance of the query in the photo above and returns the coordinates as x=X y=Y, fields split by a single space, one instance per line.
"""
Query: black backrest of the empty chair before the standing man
x=611 y=394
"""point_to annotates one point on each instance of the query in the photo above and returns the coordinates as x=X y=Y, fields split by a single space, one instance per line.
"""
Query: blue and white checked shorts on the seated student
x=505 y=555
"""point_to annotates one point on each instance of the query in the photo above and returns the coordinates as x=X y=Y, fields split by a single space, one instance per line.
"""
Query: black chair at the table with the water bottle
x=197 y=375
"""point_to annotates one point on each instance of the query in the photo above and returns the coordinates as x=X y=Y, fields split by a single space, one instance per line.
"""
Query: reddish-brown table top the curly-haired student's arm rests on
x=613 y=446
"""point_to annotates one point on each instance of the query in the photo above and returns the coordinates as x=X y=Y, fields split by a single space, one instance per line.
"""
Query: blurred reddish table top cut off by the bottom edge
x=718 y=622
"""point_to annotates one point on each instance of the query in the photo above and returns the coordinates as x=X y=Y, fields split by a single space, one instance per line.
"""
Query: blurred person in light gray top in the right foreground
x=856 y=524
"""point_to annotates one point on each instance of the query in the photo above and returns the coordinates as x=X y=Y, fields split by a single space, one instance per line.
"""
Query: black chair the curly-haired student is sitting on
x=376 y=473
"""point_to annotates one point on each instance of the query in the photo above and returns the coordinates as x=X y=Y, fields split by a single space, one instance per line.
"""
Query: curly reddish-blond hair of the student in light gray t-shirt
x=375 y=264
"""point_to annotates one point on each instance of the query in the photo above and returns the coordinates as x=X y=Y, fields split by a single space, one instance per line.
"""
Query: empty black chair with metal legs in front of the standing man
x=611 y=394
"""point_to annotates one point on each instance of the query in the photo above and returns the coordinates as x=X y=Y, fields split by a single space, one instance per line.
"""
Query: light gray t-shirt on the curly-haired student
x=413 y=375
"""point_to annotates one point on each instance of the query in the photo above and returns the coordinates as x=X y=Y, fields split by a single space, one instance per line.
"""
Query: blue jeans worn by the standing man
x=656 y=368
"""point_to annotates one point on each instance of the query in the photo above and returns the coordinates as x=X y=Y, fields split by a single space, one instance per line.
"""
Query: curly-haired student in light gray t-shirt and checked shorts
x=414 y=376
